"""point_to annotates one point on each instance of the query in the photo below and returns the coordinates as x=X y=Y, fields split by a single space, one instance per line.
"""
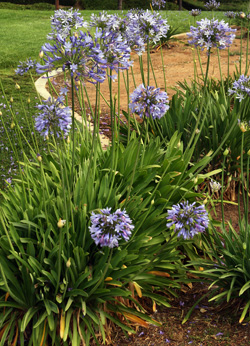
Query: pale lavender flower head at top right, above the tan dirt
x=211 y=33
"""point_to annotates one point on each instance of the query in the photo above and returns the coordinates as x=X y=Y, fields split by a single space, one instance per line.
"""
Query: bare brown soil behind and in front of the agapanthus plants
x=208 y=325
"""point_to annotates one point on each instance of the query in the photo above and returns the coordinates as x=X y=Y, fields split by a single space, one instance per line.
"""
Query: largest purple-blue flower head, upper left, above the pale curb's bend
x=80 y=54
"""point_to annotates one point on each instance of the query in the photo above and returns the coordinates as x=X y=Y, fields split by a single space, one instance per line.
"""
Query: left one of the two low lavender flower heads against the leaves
x=107 y=228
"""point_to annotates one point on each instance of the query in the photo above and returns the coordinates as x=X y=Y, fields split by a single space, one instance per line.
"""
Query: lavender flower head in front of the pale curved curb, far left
x=53 y=118
